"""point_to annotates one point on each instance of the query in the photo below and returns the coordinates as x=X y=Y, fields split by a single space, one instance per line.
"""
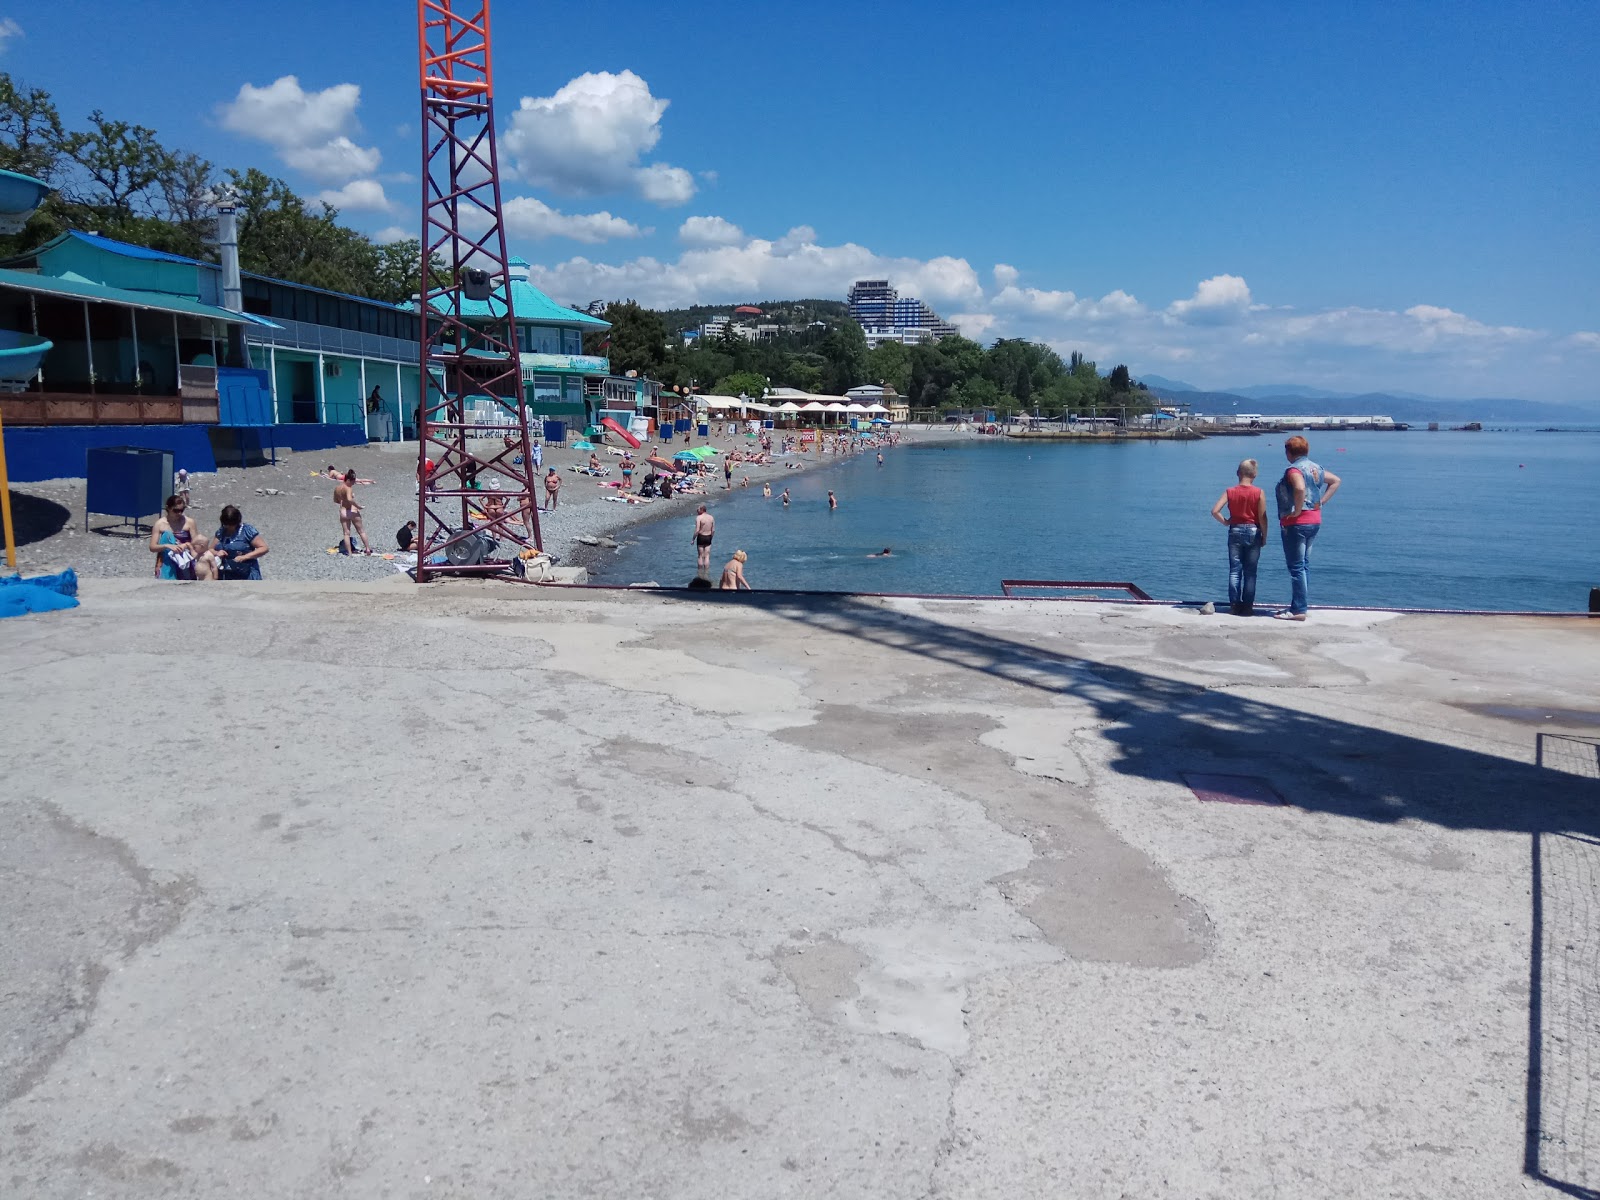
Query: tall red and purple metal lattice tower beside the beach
x=473 y=388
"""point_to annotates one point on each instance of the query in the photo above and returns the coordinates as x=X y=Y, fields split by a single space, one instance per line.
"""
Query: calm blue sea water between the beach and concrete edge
x=1431 y=521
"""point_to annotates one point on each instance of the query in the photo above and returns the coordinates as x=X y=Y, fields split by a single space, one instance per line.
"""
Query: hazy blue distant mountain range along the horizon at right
x=1409 y=407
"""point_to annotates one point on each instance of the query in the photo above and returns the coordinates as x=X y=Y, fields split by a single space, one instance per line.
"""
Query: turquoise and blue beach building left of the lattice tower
x=150 y=351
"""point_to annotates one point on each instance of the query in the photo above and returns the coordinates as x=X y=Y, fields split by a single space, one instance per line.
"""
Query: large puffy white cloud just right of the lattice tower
x=591 y=137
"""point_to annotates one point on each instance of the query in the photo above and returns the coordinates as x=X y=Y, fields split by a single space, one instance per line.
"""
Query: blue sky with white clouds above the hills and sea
x=1342 y=194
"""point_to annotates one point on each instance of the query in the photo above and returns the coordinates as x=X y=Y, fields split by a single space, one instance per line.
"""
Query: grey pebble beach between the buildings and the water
x=300 y=522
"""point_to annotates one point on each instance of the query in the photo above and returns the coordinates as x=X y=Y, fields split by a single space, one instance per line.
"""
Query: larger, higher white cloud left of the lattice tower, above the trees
x=310 y=130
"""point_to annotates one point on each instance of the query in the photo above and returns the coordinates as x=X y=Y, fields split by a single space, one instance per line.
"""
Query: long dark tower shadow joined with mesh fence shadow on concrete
x=1321 y=764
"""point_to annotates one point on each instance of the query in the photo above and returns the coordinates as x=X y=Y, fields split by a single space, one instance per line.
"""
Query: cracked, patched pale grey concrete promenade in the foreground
x=369 y=890
